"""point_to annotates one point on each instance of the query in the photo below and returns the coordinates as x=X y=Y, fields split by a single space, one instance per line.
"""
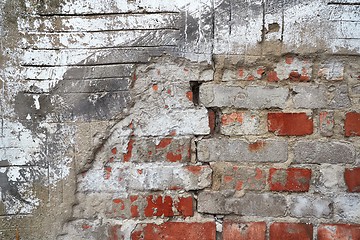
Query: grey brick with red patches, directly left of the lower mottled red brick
x=235 y=177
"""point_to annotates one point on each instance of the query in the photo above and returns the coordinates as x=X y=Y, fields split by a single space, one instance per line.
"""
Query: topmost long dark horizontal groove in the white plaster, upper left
x=105 y=14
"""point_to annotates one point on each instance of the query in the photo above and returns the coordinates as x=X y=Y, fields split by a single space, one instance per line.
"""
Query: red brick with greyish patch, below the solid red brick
x=291 y=179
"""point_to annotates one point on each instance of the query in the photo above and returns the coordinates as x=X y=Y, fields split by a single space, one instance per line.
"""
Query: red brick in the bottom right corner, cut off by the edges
x=338 y=232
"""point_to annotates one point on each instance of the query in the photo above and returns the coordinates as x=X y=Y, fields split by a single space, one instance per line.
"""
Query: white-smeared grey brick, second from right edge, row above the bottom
x=310 y=206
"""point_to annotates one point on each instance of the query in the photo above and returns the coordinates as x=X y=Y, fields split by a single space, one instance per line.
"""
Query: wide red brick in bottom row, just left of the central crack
x=175 y=231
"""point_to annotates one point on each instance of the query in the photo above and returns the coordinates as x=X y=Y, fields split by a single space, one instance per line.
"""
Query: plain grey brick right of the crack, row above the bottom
x=254 y=204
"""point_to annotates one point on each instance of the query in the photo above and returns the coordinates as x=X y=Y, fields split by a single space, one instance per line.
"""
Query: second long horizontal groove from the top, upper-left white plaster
x=99 y=31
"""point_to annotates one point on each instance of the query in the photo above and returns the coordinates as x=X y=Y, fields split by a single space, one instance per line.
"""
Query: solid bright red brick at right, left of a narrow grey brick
x=290 y=124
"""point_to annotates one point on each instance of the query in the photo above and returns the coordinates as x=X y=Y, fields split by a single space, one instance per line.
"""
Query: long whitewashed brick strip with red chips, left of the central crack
x=145 y=177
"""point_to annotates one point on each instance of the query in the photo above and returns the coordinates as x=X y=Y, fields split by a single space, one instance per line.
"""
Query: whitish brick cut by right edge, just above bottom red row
x=346 y=207
